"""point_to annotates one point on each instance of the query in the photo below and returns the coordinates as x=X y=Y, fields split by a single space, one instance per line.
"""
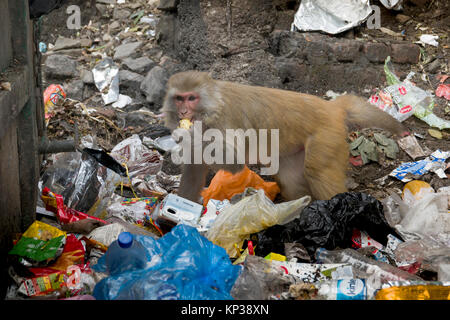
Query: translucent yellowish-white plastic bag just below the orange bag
x=250 y=215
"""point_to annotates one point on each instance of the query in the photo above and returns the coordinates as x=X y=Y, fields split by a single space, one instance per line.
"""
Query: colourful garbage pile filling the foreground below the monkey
x=92 y=242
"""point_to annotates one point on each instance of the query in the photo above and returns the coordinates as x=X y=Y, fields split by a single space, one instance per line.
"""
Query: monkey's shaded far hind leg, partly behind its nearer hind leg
x=291 y=178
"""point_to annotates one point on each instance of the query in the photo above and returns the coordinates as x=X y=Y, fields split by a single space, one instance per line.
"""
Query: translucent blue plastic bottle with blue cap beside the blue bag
x=125 y=254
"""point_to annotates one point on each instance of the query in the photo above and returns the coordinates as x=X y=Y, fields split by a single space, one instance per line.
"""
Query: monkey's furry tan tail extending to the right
x=362 y=113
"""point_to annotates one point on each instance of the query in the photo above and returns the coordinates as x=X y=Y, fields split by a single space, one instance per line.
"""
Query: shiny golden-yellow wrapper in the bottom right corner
x=414 y=293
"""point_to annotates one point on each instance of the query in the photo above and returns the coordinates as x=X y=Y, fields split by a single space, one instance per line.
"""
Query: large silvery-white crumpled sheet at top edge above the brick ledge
x=331 y=16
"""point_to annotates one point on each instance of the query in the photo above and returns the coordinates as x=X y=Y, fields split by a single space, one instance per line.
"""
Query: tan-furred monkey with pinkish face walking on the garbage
x=313 y=151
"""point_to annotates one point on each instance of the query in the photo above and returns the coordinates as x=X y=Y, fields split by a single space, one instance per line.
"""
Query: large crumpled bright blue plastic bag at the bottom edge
x=183 y=265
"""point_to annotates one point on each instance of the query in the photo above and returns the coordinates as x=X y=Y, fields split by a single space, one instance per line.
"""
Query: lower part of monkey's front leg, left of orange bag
x=193 y=179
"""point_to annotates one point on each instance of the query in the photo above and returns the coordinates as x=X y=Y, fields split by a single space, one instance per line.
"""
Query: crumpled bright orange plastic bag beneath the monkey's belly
x=224 y=185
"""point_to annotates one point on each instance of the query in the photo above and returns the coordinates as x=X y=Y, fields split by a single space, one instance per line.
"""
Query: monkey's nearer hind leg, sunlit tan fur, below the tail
x=326 y=160
